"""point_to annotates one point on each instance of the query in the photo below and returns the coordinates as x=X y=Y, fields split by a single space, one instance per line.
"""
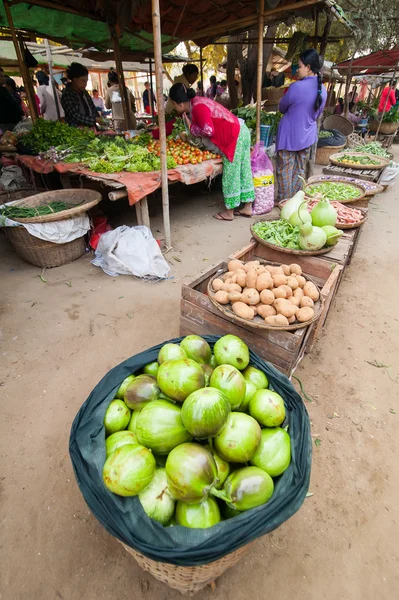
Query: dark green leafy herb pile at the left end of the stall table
x=45 y=134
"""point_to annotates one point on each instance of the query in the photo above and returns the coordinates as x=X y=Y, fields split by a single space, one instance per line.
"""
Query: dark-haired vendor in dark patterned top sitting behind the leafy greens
x=76 y=101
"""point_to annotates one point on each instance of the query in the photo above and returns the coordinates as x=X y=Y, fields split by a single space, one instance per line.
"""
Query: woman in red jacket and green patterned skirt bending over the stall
x=223 y=133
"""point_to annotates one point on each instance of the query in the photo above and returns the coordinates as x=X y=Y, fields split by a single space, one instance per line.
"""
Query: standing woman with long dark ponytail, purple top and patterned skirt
x=301 y=107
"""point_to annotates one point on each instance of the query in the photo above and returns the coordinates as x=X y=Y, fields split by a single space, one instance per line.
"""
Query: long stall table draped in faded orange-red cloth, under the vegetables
x=136 y=186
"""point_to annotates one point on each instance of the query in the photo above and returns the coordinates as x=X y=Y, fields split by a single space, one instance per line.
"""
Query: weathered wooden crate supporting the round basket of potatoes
x=284 y=349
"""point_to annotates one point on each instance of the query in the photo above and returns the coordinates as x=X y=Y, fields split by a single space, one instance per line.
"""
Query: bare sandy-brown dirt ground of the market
x=60 y=337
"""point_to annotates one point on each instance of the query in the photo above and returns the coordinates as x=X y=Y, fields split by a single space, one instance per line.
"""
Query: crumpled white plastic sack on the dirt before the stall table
x=131 y=251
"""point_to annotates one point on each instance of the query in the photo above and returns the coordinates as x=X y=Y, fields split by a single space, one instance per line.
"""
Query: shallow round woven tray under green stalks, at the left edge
x=80 y=201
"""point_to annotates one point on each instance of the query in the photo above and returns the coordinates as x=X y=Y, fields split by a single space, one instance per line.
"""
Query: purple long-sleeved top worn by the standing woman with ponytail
x=298 y=127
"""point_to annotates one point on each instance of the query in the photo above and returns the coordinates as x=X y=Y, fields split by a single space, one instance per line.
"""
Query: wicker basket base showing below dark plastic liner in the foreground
x=188 y=580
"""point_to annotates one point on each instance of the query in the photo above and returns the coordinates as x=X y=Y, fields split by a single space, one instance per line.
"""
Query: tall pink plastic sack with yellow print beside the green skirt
x=263 y=178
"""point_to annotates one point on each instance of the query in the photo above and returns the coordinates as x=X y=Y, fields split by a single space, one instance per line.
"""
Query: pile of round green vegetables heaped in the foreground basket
x=197 y=435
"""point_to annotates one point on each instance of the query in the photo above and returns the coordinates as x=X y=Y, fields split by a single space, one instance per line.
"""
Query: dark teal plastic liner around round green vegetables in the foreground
x=125 y=518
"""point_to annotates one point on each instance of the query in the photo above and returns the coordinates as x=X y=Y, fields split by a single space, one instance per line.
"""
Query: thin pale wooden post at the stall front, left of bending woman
x=156 y=28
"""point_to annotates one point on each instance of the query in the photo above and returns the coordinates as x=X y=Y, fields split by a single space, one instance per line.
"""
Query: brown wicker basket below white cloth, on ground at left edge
x=41 y=253
